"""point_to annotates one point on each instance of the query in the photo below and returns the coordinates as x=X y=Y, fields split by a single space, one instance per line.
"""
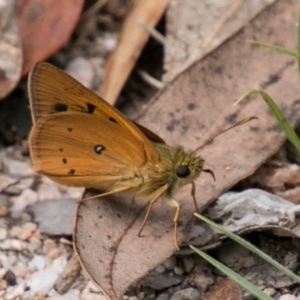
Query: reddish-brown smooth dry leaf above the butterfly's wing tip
x=45 y=26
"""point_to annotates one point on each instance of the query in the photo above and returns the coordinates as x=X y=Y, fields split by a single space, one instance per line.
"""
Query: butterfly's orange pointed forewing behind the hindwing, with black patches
x=52 y=91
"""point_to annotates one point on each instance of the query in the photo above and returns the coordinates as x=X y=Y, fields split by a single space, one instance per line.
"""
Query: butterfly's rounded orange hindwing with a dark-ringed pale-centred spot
x=85 y=150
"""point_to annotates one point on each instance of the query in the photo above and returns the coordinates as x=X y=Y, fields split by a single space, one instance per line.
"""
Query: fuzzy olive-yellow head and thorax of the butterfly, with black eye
x=175 y=169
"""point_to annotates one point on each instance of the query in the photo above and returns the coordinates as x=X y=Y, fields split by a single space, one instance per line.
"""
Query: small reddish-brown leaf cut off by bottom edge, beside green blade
x=224 y=289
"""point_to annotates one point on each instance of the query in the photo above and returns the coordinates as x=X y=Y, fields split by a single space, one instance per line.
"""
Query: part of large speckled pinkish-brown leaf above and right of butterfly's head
x=199 y=101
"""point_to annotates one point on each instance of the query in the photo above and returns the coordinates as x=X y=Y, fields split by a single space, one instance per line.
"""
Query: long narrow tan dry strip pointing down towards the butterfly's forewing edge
x=132 y=39
